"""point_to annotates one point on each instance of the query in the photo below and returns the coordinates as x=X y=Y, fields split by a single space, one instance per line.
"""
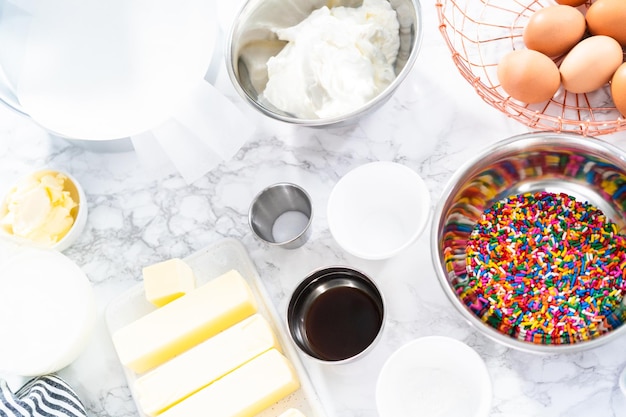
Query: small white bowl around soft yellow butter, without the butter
x=79 y=213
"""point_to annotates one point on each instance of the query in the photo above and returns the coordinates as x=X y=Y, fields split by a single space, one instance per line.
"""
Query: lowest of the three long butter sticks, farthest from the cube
x=245 y=392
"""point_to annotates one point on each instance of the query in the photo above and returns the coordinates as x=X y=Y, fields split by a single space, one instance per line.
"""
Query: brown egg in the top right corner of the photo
x=608 y=17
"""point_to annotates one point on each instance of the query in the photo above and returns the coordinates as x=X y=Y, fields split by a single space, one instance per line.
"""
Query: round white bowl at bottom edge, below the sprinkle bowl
x=434 y=375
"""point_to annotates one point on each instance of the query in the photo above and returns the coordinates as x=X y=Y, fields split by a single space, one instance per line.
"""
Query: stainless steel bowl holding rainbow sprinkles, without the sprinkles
x=587 y=169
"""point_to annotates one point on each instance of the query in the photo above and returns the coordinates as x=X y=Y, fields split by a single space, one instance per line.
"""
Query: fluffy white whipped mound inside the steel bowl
x=335 y=61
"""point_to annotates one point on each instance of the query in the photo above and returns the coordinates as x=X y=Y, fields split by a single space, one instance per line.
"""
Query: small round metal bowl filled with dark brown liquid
x=336 y=314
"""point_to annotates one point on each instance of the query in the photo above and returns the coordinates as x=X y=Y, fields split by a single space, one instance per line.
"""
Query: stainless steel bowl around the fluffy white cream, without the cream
x=252 y=41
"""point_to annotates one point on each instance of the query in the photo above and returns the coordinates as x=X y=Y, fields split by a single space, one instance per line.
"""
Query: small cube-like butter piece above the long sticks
x=168 y=280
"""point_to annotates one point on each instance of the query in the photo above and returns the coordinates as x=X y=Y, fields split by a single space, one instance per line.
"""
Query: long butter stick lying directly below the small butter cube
x=176 y=327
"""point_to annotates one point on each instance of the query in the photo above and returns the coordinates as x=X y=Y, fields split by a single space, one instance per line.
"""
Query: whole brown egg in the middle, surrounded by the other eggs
x=590 y=64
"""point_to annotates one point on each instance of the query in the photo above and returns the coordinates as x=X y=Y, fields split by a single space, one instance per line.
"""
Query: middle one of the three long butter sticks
x=196 y=368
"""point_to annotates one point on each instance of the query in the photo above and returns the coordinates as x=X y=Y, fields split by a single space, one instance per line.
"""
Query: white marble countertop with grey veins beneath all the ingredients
x=432 y=124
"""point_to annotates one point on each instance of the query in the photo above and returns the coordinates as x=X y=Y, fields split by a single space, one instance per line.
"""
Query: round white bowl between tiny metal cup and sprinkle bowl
x=378 y=209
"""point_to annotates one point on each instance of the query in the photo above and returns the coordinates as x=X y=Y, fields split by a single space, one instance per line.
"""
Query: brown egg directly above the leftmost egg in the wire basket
x=554 y=30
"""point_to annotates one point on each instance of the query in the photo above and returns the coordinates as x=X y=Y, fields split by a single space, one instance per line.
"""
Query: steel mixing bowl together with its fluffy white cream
x=317 y=63
